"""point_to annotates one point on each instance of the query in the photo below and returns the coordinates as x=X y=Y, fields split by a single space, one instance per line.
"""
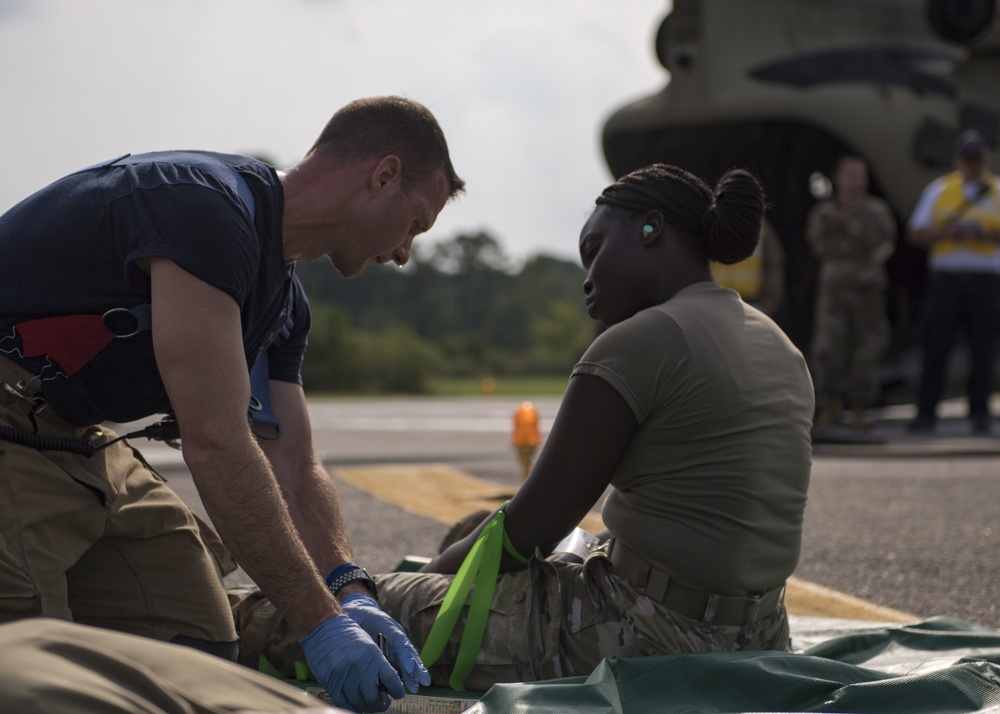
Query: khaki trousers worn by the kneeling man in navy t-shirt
x=102 y=540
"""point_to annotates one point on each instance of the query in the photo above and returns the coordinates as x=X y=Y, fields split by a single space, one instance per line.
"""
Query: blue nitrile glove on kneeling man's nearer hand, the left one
x=351 y=666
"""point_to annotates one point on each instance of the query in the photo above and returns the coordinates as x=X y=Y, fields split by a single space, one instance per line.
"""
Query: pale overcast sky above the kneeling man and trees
x=521 y=88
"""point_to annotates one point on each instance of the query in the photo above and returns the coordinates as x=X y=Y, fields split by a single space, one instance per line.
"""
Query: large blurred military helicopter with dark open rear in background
x=784 y=87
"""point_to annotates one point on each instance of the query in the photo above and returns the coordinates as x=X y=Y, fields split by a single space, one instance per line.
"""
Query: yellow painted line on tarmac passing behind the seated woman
x=445 y=494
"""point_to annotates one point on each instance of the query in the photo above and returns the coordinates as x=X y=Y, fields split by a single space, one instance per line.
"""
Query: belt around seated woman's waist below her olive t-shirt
x=710 y=608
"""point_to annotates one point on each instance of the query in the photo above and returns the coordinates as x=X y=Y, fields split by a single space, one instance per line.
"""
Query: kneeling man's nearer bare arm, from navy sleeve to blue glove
x=199 y=351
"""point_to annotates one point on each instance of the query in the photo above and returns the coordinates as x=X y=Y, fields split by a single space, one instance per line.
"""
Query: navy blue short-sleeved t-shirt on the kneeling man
x=74 y=247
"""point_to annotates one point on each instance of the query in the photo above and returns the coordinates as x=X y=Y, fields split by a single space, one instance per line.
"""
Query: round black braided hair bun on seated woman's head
x=731 y=225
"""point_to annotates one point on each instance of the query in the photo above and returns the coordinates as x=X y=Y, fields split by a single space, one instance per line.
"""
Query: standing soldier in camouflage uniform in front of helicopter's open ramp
x=852 y=234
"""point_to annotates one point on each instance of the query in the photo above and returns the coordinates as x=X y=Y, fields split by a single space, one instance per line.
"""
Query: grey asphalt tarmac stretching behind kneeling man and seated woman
x=903 y=521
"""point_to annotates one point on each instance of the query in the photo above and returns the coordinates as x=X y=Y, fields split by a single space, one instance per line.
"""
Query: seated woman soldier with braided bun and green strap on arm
x=695 y=409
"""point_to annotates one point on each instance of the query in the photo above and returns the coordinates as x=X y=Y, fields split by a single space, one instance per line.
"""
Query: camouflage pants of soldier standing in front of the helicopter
x=851 y=329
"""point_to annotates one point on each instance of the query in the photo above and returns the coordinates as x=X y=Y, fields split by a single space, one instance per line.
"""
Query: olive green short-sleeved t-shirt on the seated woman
x=713 y=487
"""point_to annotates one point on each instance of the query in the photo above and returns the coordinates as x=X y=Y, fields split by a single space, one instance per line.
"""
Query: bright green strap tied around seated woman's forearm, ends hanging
x=480 y=567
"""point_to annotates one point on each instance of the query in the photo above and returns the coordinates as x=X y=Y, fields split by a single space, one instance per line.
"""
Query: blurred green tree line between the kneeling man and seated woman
x=457 y=310
